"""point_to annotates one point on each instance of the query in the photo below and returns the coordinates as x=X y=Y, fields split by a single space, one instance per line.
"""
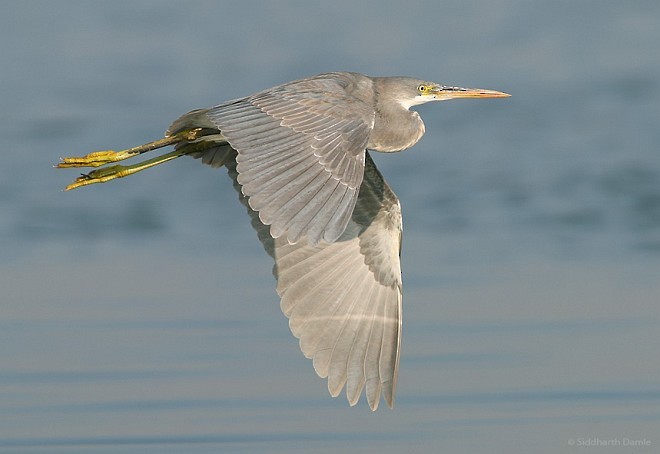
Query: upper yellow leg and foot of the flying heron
x=99 y=158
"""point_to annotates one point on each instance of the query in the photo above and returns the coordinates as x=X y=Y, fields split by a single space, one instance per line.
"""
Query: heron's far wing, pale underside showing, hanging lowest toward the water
x=343 y=299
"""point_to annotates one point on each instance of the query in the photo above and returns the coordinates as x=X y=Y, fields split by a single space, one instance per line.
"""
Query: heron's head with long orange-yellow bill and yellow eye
x=412 y=92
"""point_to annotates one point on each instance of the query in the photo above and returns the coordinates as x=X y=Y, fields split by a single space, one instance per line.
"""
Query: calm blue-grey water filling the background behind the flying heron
x=140 y=316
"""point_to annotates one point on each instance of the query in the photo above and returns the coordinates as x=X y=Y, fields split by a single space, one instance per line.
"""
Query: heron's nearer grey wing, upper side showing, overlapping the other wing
x=300 y=154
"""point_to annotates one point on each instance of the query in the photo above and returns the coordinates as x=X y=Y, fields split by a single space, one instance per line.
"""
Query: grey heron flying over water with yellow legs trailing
x=298 y=155
